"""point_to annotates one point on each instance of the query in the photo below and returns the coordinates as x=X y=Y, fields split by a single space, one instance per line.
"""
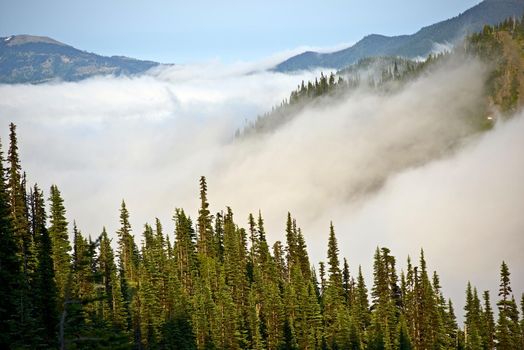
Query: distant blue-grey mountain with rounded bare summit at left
x=37 y=59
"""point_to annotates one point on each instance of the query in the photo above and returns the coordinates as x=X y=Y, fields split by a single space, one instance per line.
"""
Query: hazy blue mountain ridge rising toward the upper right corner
x=419 y=44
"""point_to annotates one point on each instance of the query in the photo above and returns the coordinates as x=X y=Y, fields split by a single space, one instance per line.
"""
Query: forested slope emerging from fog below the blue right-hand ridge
x=500 y=47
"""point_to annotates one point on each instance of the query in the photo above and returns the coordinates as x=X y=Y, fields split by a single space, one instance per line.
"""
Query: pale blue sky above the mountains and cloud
x=229 y=31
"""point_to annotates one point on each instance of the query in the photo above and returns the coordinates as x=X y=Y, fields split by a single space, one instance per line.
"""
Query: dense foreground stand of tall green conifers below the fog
x=216 y=286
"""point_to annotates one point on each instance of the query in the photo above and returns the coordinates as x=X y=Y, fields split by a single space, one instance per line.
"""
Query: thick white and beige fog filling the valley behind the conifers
x=401 y=170
